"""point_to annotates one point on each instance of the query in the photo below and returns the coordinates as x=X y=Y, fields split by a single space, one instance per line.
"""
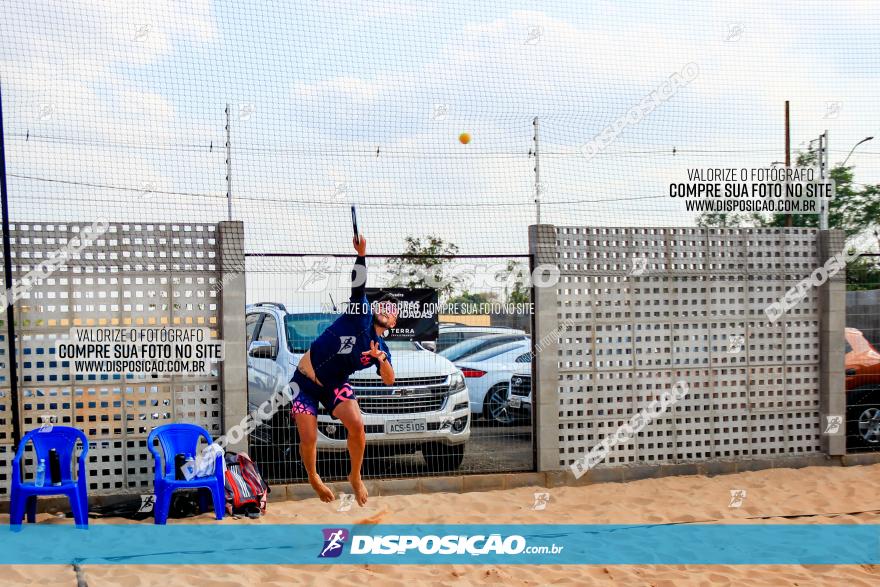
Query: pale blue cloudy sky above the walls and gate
x=129 y=98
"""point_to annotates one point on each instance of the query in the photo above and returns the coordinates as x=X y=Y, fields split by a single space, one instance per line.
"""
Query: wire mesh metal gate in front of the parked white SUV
x=455 y=389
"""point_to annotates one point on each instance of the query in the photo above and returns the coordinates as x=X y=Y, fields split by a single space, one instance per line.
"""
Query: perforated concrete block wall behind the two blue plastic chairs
x=136 y=274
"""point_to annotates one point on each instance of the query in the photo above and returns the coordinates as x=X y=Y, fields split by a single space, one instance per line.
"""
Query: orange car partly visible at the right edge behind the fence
x=862 y=391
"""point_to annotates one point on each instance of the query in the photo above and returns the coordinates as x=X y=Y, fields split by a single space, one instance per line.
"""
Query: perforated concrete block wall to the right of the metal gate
x=649 y=307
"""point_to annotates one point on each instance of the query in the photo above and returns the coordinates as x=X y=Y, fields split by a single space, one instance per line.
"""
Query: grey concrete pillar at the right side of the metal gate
x=545 y=370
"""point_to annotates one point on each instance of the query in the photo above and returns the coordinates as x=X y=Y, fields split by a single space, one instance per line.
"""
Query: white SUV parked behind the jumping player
x=427 y=408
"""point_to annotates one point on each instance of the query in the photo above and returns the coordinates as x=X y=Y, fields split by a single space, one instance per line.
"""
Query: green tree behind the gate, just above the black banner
x=424 y=263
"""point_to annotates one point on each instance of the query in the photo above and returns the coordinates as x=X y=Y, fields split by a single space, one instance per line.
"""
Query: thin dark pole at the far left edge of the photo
x=11 y=355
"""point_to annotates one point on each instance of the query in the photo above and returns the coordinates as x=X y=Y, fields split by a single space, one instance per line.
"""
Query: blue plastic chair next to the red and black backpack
x=182 y=439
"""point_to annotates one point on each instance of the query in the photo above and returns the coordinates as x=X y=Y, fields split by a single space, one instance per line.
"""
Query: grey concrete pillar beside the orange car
x=832 y=345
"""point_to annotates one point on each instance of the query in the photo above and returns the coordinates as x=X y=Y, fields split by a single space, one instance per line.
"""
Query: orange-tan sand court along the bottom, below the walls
x=814 y=495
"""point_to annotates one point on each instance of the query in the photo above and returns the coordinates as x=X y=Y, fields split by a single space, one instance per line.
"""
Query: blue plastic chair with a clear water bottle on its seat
x=23 y=496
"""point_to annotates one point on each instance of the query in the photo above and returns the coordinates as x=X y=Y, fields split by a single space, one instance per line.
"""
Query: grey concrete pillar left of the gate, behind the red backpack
x=233 y=387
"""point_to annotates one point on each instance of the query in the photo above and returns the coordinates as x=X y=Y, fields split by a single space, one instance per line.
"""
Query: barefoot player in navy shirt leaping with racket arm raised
x=353 y=342
